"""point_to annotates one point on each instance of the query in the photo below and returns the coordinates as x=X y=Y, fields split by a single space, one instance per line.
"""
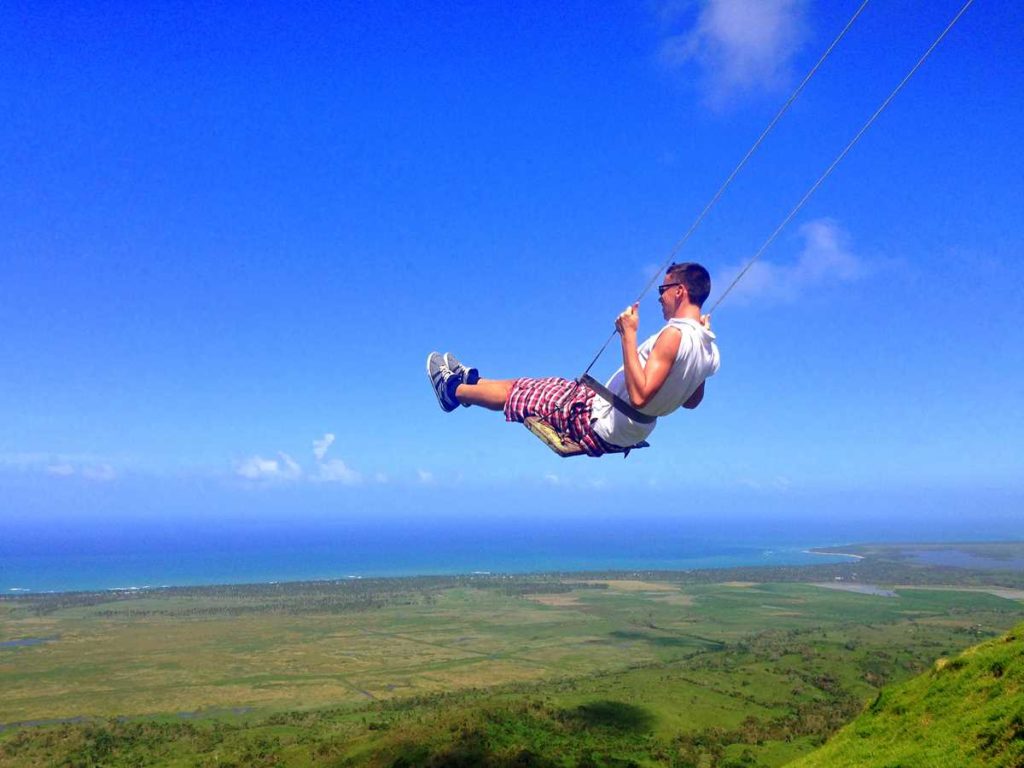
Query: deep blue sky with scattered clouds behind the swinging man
x=230 y=232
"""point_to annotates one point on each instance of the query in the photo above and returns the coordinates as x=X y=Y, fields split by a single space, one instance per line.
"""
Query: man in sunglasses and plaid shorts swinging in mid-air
x=665 y=372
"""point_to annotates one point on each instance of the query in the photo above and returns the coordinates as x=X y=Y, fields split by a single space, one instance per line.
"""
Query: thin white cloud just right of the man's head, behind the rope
x=825 y=260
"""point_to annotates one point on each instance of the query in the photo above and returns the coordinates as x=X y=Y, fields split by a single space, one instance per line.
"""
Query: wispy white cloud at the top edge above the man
x=739 y=47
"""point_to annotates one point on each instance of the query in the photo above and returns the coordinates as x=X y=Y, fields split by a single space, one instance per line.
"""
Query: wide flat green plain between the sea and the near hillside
x=695 y=669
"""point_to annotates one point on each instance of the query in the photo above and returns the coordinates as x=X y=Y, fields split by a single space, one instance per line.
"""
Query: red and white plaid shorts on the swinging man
x=544 y=398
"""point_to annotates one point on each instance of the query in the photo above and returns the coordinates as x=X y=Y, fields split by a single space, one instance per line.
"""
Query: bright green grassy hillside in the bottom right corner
x=968 y=711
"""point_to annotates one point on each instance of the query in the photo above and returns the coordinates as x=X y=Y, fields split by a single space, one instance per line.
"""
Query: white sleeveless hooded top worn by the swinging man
x=697 y=360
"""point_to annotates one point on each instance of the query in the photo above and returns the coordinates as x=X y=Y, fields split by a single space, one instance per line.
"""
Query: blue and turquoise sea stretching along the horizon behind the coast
x=175 y=556
